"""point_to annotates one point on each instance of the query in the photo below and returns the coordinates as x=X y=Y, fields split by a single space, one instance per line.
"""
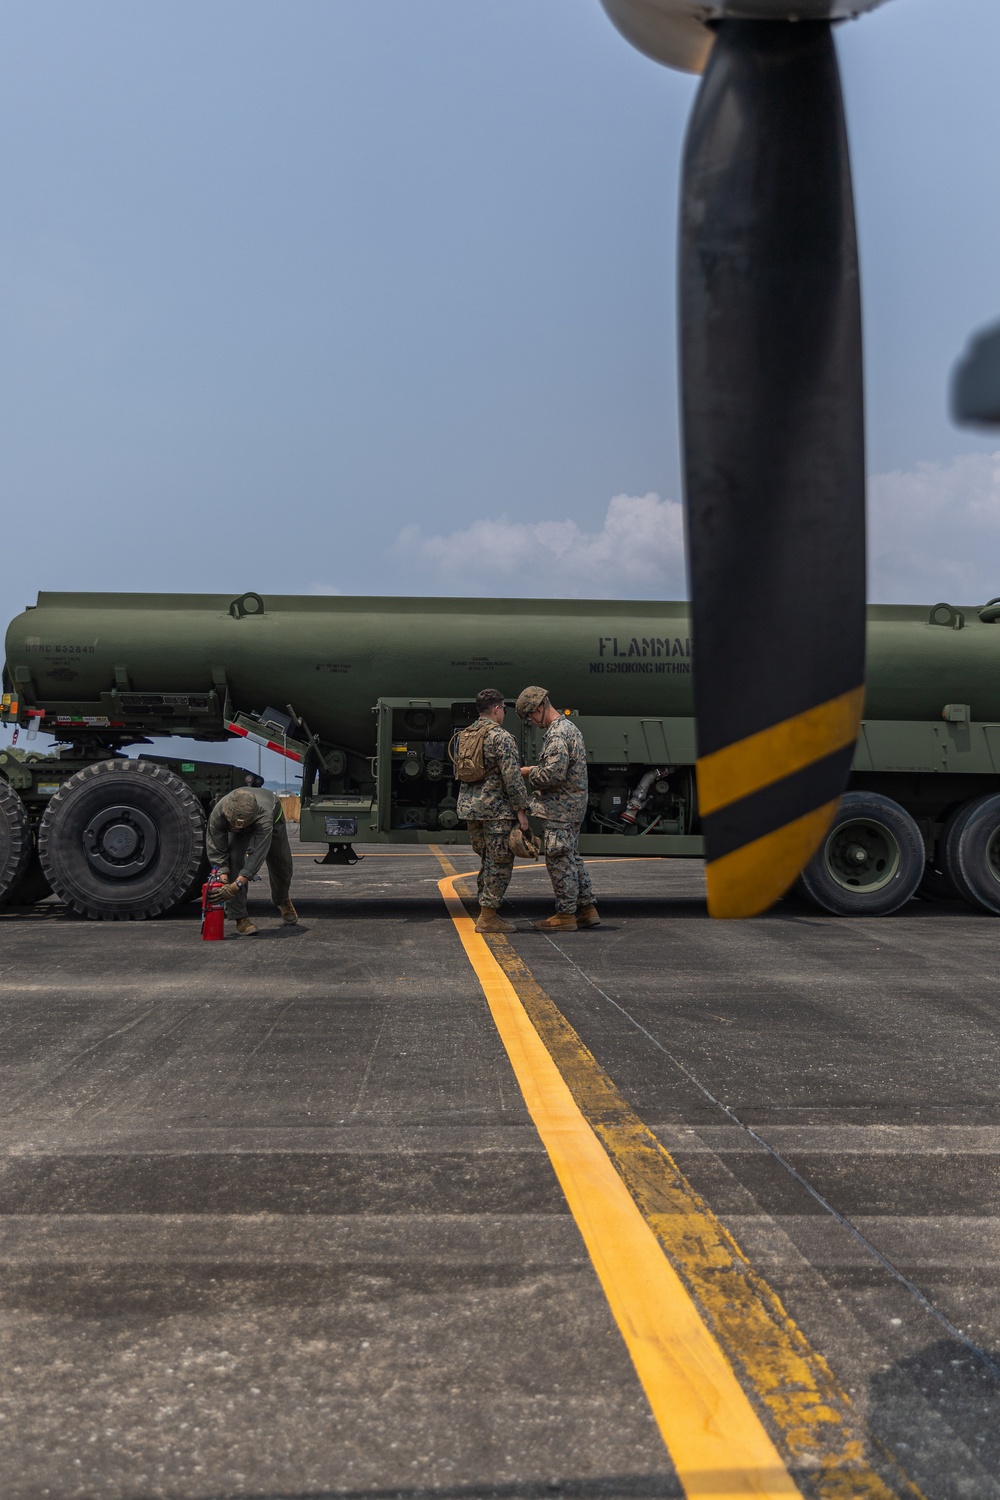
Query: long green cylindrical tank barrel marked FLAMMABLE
x=134 y=665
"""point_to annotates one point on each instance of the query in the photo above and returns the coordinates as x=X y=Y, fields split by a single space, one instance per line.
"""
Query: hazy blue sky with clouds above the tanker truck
x=377 y=296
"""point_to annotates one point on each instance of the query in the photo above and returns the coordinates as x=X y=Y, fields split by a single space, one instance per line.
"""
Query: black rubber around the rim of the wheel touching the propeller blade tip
x=824 y=890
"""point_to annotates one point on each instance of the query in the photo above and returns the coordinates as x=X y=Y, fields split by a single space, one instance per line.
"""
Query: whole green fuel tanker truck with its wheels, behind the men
x=367 y=695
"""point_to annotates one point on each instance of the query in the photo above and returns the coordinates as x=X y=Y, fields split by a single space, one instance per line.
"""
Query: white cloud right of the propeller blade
x=935 y=532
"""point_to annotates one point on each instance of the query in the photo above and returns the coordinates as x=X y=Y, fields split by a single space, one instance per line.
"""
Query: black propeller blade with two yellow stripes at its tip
x=774 y=454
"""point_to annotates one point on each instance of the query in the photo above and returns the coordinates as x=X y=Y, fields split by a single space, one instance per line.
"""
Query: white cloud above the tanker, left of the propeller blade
x=638 y=553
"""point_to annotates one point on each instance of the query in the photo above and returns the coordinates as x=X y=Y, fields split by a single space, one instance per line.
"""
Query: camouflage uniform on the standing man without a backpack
x=558 y=793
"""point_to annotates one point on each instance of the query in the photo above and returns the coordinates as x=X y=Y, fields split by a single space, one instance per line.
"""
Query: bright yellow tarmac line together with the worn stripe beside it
x=687 y=1301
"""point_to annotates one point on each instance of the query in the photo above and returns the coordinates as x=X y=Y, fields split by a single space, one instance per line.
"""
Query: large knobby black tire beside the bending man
x=122 y=841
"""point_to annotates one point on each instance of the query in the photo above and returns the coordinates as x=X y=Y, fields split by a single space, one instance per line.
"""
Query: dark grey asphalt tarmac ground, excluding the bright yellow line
x=275 y=1219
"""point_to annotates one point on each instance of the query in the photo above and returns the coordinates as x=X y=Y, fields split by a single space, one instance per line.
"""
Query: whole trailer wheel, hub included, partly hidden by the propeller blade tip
x=870 y=863
